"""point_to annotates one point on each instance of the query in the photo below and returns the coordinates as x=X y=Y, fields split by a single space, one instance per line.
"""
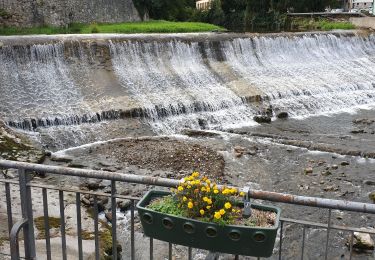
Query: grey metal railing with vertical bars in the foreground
x=26 y=221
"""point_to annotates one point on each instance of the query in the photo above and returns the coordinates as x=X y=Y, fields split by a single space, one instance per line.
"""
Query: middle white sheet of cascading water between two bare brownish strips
x=176 y=87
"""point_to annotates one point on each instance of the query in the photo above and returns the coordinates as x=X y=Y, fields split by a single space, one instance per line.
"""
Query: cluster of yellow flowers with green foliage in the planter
x=201 y=198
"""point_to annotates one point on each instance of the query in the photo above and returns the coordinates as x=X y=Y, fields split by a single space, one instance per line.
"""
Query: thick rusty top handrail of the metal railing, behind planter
x=256 y=194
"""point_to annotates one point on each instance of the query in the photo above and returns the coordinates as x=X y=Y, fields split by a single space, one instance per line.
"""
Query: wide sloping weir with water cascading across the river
x=177 y=82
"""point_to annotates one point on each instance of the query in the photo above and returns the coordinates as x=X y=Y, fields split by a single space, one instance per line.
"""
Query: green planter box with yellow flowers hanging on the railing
x=200 y=214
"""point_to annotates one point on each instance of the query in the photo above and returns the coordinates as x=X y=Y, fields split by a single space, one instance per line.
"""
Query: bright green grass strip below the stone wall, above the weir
x=136 y=27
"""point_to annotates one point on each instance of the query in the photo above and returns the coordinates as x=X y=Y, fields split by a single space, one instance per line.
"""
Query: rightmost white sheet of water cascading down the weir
x=307 y=75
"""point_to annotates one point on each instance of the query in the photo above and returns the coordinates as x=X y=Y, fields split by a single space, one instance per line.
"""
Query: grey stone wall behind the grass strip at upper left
x=25 y=13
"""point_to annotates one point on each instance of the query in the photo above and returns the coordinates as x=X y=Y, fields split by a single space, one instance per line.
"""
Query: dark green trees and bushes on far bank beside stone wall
x=236 y=15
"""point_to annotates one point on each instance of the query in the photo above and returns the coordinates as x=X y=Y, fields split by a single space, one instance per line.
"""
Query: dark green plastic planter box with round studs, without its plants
x=230 y=239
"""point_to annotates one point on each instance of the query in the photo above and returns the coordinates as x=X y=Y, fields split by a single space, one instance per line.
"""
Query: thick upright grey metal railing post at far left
x=27 y=214
